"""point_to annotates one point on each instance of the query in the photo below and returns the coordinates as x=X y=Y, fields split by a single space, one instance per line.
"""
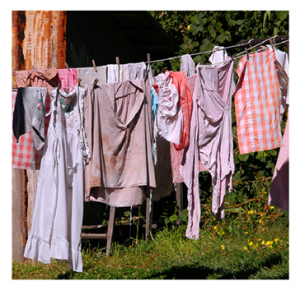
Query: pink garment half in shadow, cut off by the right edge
x=279 y=192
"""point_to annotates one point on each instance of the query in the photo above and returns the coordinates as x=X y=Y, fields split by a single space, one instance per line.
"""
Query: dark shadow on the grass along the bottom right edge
x=201 y=272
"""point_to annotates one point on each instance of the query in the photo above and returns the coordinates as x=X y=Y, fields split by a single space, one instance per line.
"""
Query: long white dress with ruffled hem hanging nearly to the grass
x=58 y=211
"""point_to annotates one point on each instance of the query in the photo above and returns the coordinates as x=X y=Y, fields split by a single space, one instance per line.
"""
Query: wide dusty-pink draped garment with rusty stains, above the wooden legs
x=118 y=125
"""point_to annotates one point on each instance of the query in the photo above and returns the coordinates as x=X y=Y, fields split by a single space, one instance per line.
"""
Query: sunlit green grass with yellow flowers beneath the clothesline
x=220 y=253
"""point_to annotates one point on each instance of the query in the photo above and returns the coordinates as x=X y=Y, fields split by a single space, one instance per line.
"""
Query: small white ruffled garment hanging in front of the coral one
x=169 y=119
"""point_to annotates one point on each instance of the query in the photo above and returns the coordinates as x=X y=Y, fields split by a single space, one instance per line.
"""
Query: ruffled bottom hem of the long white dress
x=38 y=249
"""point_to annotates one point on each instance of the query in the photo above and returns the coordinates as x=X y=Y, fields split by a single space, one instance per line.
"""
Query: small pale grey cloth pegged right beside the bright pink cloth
x=88 y=74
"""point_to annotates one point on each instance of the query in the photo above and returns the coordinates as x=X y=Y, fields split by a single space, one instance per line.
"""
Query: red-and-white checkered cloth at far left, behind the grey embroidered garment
x=24 y=155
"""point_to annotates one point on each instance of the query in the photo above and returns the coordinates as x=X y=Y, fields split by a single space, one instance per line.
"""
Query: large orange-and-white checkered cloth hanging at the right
x=257 y=103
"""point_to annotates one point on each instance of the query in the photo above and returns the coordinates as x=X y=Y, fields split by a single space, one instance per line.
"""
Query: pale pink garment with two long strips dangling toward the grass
x=211 y=140
